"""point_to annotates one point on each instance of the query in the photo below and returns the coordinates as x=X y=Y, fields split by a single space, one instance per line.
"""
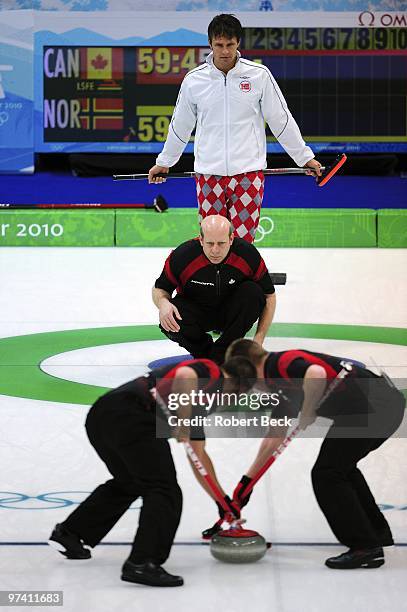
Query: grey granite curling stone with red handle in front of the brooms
x=238 y=546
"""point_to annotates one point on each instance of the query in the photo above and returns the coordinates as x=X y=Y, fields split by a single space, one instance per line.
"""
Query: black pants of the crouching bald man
x=234 y=318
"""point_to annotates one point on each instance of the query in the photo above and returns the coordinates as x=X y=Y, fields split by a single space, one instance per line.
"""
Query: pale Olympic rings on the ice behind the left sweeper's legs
x=47 y=501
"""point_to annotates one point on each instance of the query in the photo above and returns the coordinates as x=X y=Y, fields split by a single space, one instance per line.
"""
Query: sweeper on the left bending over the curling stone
x=128 y=429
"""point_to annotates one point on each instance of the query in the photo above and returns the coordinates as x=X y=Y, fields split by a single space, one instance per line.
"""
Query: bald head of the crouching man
x=216 y=237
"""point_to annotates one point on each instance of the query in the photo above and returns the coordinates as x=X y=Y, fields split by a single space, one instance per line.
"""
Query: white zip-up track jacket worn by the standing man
x=229 y=112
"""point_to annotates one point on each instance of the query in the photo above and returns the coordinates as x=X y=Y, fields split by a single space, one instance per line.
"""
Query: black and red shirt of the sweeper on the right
x=286 y=370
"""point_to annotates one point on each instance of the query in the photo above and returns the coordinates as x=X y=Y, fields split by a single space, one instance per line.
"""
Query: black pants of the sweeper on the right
x=340 y=488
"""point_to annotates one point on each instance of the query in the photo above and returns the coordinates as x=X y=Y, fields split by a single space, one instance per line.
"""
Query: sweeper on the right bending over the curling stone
x=366 y=410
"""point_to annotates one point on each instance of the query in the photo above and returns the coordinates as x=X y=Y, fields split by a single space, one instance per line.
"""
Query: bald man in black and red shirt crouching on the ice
x=222 y=284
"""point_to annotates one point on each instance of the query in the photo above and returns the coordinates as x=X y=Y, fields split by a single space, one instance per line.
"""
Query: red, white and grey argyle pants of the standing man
x=237 y=197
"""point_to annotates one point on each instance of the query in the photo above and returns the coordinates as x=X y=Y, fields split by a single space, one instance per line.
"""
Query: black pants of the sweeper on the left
x=123 y=434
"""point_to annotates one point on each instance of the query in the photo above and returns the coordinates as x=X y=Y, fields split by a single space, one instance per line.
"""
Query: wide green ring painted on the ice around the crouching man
x=21 y=356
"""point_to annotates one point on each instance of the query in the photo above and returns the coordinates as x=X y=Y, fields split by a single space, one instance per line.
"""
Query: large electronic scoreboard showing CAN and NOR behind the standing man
x=346 y=88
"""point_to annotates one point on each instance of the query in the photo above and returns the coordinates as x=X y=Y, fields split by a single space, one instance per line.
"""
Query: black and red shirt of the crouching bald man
x=188 y=271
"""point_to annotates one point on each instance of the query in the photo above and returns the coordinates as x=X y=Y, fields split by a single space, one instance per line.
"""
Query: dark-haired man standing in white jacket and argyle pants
x=228 y=99
